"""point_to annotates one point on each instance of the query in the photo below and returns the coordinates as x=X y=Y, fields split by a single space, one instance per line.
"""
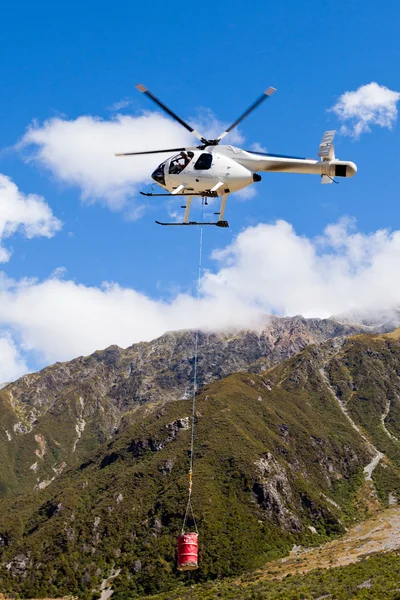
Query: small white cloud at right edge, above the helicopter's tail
x=370 y=104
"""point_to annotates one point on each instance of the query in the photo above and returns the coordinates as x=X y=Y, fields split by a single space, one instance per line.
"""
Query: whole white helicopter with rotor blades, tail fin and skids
x=211 y=170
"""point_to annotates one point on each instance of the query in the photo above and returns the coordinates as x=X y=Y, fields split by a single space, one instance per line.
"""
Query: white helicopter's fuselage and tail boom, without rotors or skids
x=221 y=169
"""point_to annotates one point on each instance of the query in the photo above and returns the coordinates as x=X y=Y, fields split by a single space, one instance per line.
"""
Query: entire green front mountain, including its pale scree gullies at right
x=286 y=455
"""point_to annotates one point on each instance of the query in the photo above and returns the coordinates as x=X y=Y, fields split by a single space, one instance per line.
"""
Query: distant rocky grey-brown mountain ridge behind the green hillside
x=51 y=419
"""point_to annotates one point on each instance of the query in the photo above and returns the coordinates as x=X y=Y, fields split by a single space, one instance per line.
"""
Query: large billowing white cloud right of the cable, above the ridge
x=272 y=268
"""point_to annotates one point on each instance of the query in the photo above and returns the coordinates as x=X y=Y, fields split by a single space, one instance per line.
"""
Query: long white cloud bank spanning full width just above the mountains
x=267 y=268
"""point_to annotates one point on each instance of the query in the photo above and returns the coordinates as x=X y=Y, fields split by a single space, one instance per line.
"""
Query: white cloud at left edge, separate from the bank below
x=26 y=214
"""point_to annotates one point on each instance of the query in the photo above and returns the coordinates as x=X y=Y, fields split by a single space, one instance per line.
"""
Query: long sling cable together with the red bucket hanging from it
x=188 y=541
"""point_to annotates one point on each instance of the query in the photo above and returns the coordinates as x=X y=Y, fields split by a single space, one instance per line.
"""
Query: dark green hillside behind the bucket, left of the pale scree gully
x=267 y=455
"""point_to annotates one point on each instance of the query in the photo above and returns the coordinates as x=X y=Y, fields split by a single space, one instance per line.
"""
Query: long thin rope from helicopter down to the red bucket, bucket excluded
x=189 y=507
